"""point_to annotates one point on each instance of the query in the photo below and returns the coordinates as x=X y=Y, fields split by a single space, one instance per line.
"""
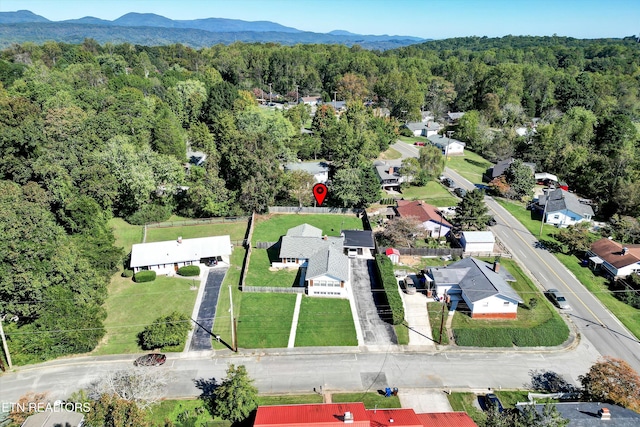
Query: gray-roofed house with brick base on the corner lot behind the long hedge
x=481 y=286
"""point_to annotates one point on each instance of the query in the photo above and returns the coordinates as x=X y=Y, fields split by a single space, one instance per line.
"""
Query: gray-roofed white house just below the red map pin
x=325 y=270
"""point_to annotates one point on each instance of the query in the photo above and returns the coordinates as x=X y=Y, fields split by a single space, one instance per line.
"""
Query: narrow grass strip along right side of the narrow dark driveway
x=222 y=323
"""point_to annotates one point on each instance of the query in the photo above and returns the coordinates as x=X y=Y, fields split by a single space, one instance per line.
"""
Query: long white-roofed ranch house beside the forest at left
x=166 y=257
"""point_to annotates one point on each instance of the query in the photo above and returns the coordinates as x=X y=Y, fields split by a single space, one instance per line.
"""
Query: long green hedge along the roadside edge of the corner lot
x=550 y=333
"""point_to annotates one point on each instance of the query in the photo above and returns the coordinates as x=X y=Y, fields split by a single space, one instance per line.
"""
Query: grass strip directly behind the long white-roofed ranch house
x=236 y=231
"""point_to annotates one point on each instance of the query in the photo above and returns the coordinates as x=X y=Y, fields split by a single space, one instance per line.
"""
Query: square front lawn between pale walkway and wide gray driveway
x=325 y=322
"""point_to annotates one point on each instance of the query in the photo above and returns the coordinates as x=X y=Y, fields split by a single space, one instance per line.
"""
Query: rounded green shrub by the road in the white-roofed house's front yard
x=167 y=331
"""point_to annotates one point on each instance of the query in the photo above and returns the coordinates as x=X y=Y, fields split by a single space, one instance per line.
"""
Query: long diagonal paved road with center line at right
x=591 y=318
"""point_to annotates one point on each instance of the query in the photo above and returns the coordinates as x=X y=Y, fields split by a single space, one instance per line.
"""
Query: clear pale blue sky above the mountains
x=435 y=19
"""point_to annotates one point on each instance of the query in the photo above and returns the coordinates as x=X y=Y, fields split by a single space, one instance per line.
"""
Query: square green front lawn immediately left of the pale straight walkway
x=265 y=320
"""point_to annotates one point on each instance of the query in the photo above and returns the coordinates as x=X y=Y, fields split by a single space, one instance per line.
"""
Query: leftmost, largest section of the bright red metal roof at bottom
x=319 y=415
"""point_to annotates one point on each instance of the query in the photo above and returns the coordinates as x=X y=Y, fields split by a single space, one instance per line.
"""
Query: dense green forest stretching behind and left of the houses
x=90 y=131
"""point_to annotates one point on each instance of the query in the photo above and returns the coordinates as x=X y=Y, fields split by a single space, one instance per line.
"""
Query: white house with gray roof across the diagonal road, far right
x=562 y=208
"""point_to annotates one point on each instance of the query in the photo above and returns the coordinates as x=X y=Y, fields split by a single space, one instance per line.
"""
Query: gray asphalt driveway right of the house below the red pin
x=369 y=298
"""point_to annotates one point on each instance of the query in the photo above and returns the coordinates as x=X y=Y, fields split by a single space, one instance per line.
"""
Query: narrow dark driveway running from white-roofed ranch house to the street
x=201 y=338
